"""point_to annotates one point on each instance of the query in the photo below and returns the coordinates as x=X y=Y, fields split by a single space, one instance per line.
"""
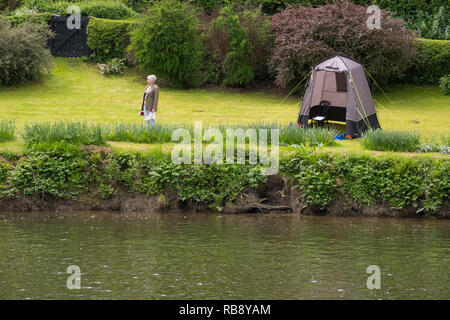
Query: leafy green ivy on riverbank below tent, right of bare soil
x=423 y=183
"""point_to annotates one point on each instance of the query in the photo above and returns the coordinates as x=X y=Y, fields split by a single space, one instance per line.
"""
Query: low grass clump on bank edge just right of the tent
x=381 y=140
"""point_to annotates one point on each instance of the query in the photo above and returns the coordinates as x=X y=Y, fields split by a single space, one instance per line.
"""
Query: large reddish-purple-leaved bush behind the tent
x=304 y=36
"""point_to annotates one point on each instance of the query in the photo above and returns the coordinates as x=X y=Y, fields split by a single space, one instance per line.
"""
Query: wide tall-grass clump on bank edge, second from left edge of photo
x=78 y=133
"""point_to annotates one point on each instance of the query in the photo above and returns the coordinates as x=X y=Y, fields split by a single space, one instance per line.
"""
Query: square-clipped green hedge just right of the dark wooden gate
x=108 y=39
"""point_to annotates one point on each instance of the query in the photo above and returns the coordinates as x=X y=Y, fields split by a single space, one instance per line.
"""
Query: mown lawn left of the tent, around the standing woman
x=77 y=91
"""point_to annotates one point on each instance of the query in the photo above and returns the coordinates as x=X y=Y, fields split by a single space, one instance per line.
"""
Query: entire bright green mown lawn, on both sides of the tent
x=77 y=91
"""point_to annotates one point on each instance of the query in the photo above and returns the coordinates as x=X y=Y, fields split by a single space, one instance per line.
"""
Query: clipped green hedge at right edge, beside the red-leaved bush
x=432 y=63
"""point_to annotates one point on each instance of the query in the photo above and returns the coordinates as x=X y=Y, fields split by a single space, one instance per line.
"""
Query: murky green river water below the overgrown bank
x=210 y=256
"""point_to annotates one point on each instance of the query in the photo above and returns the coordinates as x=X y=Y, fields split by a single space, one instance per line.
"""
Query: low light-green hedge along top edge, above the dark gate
x=106 y=9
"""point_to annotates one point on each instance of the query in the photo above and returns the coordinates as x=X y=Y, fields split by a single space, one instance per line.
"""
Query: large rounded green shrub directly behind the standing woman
x=167 y=44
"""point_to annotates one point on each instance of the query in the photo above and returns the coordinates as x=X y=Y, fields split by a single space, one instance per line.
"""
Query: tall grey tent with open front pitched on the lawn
x=342 y=82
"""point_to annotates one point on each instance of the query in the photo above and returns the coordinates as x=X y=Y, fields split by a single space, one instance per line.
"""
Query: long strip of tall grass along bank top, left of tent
x=81 y=133
